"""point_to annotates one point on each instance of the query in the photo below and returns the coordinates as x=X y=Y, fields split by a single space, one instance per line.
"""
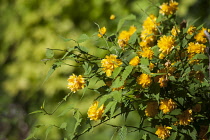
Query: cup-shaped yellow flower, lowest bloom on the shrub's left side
x=95 y=113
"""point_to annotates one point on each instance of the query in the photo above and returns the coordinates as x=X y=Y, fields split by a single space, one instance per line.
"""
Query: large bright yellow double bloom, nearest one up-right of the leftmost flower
x=110 y=63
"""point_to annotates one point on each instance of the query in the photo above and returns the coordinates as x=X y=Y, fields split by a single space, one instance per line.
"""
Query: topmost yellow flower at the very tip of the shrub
x=169 y=8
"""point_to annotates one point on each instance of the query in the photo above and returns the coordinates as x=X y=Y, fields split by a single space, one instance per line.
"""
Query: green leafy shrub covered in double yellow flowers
x=159 y=71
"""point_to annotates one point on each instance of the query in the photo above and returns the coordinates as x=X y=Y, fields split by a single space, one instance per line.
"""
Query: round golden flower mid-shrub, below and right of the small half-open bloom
x=144 y=80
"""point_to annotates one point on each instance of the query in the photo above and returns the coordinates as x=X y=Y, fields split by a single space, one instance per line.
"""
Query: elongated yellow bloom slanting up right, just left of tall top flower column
x=124 y=36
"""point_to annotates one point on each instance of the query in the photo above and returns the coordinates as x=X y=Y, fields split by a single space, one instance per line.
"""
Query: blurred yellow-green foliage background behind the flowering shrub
x=28 y=27
